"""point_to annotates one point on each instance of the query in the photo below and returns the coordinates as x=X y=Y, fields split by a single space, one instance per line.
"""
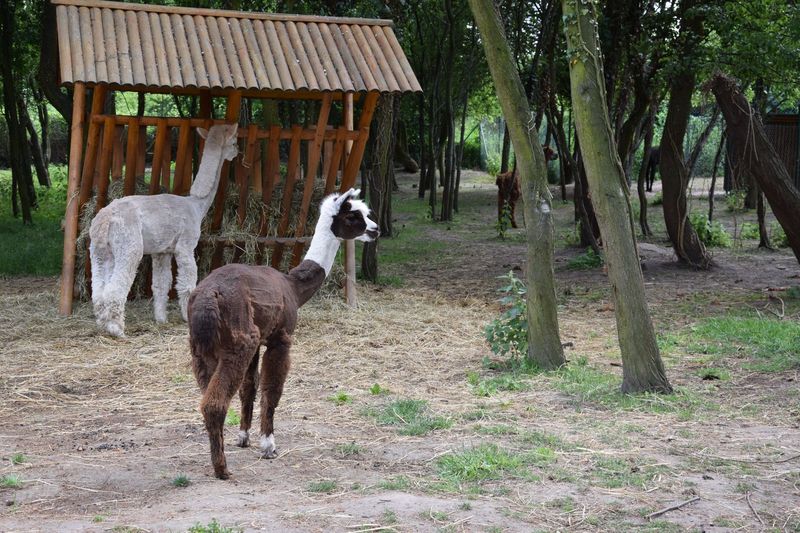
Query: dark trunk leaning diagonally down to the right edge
x=757 y=155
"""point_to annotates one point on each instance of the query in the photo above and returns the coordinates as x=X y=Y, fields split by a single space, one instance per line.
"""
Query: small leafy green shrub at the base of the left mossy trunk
x=508 y=335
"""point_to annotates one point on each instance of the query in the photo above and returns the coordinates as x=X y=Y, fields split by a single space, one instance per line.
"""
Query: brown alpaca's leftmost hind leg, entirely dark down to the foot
x=224 y=382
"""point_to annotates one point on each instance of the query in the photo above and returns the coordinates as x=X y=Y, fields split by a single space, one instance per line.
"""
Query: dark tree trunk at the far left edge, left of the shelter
x=17 y=143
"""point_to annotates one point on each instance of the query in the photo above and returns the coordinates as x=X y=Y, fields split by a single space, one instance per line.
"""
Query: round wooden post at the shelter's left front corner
x=71 y=217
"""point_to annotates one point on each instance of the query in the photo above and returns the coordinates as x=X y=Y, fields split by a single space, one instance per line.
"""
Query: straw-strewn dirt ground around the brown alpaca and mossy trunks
x=105 y=426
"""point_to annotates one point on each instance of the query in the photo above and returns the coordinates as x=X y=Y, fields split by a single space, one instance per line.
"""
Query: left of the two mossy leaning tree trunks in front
x=544 y=343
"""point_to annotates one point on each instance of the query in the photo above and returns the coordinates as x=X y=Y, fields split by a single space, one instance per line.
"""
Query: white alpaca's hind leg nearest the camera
x=126 y=263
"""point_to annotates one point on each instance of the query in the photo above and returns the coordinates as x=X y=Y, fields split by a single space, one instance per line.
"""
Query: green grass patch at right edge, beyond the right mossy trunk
x=767 y=345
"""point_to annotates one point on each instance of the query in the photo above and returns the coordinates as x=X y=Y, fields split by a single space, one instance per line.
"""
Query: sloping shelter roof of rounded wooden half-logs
x=164 y=48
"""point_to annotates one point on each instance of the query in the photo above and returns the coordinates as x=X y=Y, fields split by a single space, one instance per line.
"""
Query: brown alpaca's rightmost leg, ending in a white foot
x=274 y=369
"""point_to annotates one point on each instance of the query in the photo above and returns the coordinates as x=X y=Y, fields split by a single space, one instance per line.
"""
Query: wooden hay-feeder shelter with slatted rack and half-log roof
x=112 y=46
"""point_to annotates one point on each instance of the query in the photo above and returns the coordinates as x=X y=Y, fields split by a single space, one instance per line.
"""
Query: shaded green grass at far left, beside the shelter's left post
x=33 y=250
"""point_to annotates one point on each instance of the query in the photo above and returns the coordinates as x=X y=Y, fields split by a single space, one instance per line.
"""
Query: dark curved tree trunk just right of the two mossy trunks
x=675 y=174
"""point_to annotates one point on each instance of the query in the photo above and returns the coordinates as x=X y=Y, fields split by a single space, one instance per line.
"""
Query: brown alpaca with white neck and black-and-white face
x=238 y=308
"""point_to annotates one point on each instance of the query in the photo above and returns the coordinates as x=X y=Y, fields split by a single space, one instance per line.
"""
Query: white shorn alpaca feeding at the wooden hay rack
x=160 y=225
